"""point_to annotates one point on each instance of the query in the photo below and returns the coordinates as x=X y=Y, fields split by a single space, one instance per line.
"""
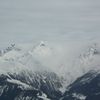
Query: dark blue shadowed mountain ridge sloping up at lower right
x=86 y=87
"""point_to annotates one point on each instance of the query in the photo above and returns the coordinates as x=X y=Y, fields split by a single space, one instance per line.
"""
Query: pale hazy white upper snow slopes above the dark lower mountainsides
x=44 y=56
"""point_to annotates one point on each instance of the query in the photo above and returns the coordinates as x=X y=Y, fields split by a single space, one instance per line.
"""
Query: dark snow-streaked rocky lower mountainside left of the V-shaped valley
x=37 y=86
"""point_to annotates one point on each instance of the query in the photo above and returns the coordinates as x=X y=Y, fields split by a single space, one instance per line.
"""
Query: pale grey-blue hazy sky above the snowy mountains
x=27 y=20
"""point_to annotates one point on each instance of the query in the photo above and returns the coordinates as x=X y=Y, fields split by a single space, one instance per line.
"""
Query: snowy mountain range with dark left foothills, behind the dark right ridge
x=39 y=72
